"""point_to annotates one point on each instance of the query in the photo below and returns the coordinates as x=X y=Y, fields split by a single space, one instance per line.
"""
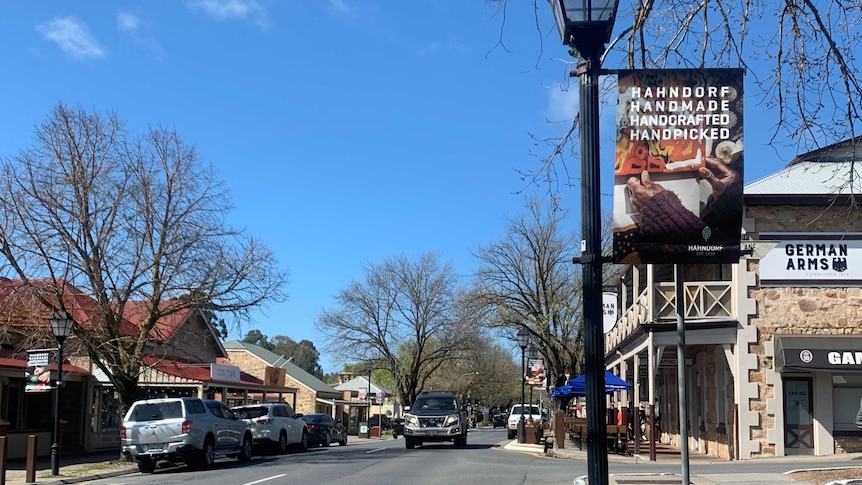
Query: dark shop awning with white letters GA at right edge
x=812 y=353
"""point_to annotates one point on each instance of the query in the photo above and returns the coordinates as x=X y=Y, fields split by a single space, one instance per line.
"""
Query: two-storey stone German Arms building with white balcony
x=773 y=355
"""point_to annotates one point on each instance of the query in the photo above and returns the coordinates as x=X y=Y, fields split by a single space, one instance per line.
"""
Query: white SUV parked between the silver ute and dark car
x=274 y=425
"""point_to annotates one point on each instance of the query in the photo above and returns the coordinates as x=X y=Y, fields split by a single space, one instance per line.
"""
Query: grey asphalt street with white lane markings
x=483 y=462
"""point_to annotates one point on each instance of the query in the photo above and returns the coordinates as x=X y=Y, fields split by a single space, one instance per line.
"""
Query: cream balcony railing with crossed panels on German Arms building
x=704 y=301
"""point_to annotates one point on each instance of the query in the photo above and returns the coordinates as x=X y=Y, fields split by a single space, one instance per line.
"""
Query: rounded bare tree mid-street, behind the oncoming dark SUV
x=405 y=316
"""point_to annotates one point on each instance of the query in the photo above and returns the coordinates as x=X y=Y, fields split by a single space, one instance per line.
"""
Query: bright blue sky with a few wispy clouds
x=348 y=131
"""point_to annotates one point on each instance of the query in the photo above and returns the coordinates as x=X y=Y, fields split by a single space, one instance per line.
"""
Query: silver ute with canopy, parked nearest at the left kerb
x=187 y=429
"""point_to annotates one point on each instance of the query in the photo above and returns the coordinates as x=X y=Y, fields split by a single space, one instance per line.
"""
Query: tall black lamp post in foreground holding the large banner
x=585 y=26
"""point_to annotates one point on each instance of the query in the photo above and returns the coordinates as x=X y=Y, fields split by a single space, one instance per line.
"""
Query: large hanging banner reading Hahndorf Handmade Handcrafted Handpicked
x=678 y=168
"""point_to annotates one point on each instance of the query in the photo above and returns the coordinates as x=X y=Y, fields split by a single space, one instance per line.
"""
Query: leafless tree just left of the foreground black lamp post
x=527 y=280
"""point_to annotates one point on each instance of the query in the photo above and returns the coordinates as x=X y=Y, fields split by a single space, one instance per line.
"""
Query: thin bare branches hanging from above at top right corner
x=800 y=53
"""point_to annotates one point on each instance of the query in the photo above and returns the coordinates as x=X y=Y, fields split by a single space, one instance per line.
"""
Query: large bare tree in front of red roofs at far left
x=126 y=219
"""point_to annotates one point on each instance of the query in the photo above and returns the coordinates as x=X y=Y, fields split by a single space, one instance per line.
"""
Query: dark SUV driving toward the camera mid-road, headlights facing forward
x=436 y=417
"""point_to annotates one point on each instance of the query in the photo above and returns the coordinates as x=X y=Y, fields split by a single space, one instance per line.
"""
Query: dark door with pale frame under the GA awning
x=798 y=421
